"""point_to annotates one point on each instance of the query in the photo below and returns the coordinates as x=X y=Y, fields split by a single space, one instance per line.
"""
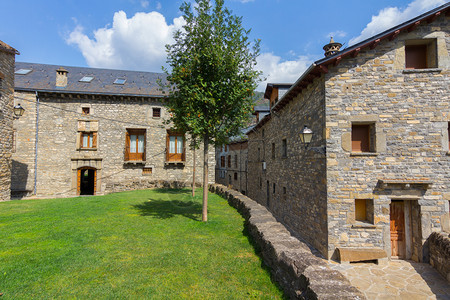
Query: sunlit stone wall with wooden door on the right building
x=409 y=160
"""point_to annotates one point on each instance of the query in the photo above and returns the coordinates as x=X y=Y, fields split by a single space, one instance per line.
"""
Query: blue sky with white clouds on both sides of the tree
x=131 y=34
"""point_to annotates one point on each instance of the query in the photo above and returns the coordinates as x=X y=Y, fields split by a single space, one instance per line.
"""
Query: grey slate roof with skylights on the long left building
x=42 y=78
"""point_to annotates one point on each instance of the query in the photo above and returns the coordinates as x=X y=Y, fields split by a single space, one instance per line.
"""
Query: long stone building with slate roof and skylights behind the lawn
x=95 y=131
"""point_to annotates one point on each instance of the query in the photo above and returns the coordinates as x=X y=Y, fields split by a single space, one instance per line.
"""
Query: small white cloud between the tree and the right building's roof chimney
x=277 y=71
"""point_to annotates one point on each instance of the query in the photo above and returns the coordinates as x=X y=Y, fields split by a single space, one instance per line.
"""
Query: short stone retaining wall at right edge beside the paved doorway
x=440 y=253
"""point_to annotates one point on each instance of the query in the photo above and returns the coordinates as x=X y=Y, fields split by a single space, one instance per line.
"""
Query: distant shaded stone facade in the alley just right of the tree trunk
x=231 y=166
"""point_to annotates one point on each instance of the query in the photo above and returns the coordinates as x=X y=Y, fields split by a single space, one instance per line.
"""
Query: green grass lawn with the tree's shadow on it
x=130 y=245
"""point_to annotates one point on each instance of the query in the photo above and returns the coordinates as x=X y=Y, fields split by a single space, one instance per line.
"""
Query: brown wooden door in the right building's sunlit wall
x=398 y=243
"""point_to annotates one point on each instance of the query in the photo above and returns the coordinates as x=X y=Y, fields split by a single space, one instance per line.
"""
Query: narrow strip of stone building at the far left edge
x=7 y=58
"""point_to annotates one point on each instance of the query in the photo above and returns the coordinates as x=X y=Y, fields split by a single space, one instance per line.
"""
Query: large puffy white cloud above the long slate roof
x=136 y=43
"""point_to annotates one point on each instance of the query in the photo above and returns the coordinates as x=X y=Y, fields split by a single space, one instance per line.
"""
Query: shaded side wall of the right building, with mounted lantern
x=293 y=185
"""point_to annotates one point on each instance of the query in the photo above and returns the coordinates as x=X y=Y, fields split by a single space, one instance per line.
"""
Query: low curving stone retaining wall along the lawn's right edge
x=300 y=274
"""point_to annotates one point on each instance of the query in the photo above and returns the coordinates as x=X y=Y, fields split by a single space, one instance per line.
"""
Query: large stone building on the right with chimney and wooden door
x=374 y=180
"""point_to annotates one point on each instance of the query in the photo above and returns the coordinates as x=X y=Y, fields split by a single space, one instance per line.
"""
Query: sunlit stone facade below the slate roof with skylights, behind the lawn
x=58 y=119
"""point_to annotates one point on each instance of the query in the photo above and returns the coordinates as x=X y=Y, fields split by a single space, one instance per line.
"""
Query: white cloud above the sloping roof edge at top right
x=392 y=16
